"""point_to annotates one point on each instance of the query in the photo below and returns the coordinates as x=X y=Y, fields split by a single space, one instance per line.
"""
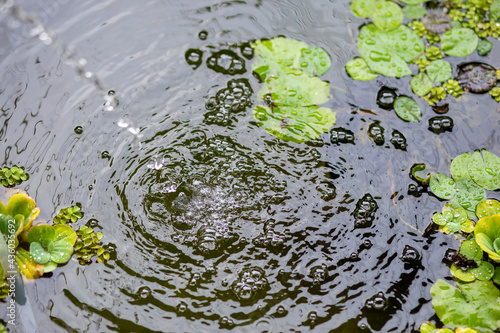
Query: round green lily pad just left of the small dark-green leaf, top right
x=459 y=42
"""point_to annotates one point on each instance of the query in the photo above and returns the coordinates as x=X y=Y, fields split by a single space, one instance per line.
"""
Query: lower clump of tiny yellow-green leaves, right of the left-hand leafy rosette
x=88 y=245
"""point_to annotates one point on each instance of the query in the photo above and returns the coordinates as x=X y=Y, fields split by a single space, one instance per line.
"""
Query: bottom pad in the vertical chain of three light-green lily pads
x=295 y=123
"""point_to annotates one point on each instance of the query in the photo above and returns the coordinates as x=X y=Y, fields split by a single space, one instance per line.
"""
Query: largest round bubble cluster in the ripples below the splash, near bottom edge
x=250 y=285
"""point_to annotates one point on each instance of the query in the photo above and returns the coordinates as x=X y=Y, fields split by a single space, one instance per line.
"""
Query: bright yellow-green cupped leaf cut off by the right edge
x=487 y=233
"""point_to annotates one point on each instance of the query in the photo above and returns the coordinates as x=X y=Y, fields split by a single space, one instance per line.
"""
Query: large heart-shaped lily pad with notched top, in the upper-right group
x=387 y=53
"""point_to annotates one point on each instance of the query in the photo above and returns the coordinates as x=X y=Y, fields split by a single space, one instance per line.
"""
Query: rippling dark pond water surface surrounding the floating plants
x=237 y=230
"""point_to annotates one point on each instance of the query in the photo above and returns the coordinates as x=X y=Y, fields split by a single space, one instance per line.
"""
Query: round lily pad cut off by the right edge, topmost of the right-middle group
x=485 y=169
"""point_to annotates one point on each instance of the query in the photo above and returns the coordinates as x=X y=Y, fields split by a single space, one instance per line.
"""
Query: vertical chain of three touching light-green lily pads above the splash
x=291 y=91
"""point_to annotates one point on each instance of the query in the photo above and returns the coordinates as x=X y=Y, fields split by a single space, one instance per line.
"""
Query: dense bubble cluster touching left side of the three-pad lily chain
x=233 y=99
